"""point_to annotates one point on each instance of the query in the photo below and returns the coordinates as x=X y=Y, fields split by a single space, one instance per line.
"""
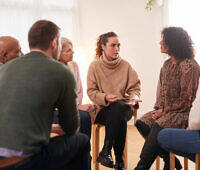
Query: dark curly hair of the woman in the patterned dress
x=178 y=43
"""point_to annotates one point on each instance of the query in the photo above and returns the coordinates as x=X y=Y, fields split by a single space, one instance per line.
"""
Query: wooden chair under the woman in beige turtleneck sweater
x=96 y=143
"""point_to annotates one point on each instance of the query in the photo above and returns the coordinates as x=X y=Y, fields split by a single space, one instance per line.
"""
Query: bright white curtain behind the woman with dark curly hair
x=184 y=13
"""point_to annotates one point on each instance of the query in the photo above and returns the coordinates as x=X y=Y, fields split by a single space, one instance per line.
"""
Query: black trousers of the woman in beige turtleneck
x=115 y=117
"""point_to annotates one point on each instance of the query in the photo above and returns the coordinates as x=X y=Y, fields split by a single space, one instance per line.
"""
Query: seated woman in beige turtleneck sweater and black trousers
x=113 y=86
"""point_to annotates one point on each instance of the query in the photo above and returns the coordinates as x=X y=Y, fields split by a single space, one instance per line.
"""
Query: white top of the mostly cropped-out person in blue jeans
x=194 y=117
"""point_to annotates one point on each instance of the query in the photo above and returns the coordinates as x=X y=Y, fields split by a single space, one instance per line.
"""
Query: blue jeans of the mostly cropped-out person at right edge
x=180 y=141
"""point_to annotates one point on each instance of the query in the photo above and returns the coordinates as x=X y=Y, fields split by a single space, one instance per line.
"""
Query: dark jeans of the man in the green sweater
x=62 y=153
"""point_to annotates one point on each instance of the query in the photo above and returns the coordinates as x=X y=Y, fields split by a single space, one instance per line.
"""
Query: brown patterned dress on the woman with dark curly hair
x=176 y=91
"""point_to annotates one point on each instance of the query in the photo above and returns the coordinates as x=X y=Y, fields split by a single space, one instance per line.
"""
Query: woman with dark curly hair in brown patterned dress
x=176 y=91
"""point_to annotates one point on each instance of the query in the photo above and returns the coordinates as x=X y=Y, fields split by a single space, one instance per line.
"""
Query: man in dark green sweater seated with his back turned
x=31 y=87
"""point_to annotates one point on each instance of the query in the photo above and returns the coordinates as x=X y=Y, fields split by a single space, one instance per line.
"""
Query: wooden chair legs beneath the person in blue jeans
x=172 y=162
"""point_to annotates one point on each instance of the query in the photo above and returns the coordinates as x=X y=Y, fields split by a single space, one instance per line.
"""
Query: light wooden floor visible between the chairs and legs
x=135 y=143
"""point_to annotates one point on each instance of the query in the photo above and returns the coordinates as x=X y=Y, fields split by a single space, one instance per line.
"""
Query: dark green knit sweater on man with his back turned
x=30 y=88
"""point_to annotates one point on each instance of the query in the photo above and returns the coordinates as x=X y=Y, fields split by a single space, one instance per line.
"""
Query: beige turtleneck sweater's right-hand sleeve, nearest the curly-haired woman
x=133 y=86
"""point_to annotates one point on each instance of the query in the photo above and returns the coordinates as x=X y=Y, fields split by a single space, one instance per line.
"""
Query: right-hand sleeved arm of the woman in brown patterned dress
x=189 y=84
